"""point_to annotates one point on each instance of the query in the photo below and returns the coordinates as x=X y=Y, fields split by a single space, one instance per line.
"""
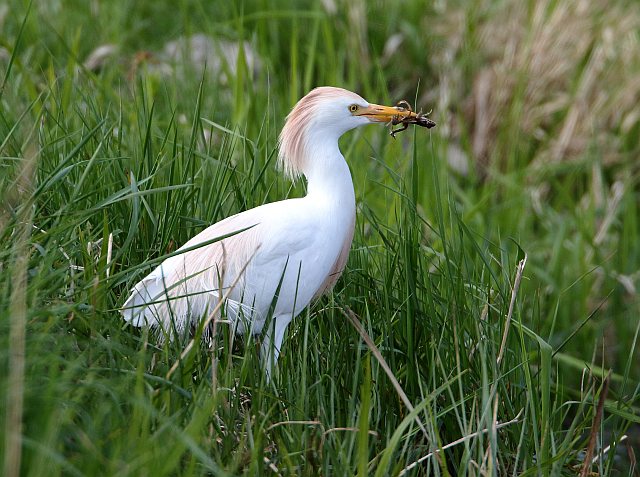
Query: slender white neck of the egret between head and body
x=328 y=176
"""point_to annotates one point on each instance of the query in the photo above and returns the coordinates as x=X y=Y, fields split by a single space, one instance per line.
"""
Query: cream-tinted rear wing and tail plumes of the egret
x=190 y=283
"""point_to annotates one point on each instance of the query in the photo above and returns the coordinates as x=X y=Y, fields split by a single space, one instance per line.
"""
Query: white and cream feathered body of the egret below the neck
x=276 y=238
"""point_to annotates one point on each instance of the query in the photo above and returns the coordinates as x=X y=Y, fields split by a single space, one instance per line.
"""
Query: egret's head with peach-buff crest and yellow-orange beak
x=321 y=117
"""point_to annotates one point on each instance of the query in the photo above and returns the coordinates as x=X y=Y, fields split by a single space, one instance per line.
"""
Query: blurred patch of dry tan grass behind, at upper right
x=563 y=76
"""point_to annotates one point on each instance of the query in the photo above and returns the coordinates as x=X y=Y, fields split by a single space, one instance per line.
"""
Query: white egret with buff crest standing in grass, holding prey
x=297 y=245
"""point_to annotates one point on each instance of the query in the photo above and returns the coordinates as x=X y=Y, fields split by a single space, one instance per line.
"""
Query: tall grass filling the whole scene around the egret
x=138 y=155
